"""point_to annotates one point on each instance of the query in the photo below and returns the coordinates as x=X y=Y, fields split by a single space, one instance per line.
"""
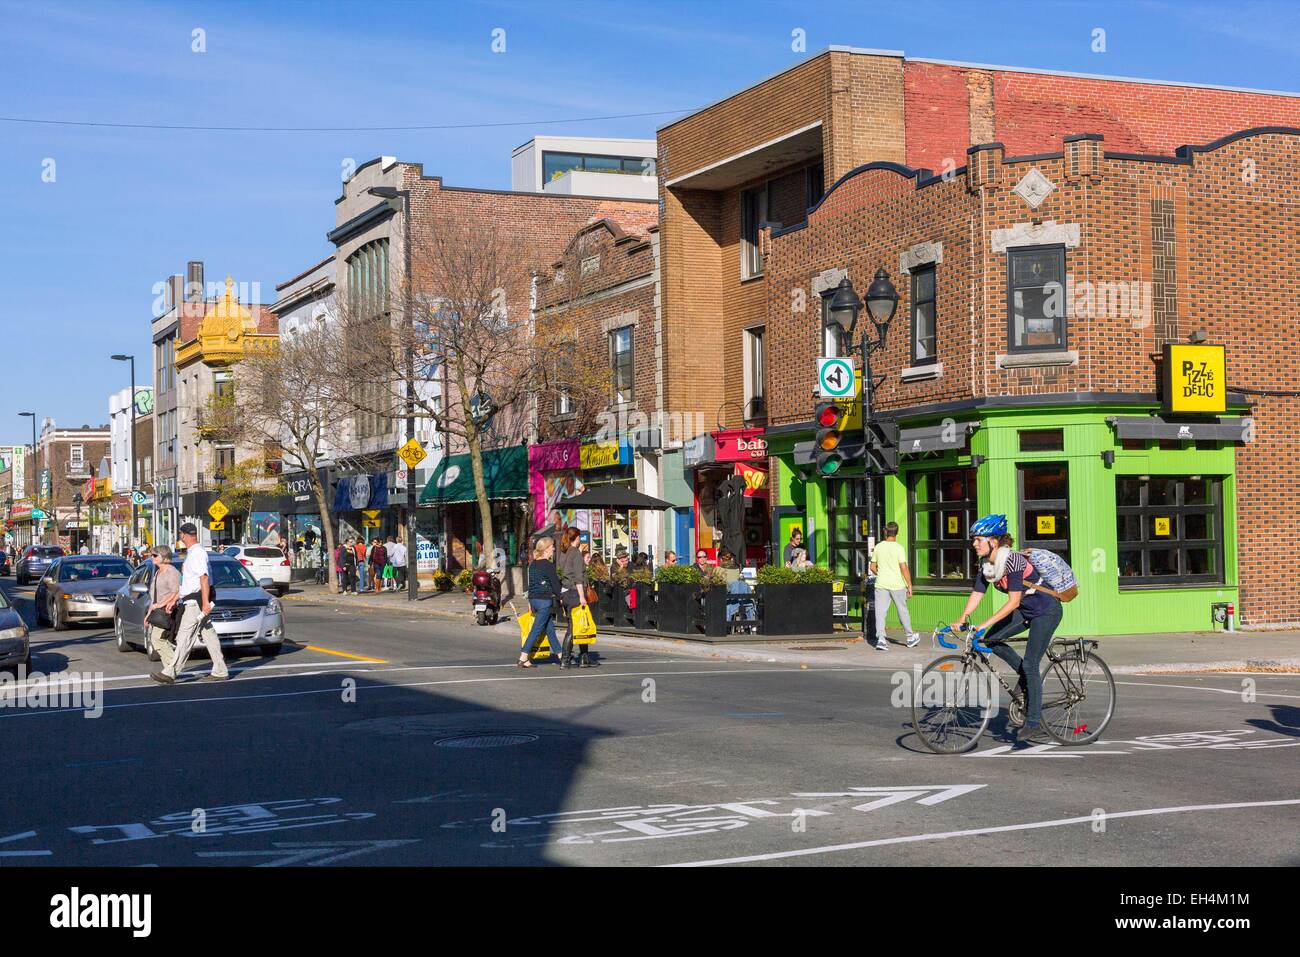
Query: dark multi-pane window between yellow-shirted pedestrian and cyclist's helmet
x=941 y=509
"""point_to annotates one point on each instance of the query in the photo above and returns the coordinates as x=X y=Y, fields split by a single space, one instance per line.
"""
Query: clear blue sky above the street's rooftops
x=80 y=256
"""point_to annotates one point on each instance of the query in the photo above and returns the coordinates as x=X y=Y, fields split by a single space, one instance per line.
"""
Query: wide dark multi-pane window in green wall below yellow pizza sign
x=1169 y=530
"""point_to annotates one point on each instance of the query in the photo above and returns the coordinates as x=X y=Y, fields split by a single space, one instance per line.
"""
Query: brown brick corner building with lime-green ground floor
x=1046 y=280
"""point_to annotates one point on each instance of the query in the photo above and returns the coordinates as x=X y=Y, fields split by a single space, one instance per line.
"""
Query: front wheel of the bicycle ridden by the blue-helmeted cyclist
x=950 y=708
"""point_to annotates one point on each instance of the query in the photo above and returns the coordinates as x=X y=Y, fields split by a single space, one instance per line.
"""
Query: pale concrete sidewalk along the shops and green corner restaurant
x=1126 y=655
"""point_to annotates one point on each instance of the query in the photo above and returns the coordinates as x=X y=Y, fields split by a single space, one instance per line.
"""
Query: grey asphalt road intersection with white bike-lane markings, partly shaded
x=393 y=741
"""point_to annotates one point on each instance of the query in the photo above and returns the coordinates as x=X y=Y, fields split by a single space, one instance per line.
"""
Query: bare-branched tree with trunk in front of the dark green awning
x=462 y=319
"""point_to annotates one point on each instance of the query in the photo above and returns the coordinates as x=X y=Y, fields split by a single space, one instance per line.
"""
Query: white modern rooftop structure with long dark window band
x=587 y=167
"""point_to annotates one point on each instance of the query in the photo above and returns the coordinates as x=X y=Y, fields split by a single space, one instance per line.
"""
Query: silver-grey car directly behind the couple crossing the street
x=244 y=616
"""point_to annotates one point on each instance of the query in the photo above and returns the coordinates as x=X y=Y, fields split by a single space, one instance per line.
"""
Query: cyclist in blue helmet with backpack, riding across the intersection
x=1026 y=608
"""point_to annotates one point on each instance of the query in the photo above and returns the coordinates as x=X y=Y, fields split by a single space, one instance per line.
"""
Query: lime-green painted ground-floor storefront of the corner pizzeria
x=995 y=453
